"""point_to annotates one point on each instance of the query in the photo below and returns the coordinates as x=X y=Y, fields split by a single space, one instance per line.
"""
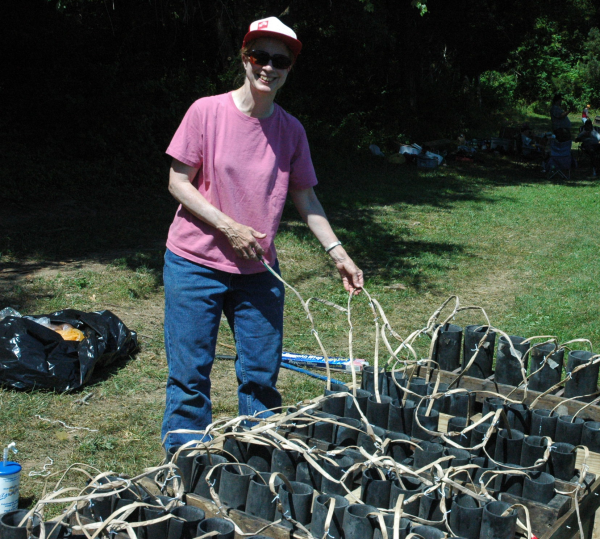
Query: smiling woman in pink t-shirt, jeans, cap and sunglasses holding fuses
x=236 y=157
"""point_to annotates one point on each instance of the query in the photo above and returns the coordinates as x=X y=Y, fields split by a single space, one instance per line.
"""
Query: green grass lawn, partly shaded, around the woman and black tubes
x=494 y=232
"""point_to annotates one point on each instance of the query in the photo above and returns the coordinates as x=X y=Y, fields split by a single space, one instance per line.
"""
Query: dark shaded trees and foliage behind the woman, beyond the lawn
x=99 y=86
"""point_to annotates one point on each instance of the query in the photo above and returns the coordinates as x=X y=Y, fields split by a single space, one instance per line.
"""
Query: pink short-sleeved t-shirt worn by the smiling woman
x=246 y=167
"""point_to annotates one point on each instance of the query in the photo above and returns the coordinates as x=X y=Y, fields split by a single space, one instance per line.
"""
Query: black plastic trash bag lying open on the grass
x=35 y=356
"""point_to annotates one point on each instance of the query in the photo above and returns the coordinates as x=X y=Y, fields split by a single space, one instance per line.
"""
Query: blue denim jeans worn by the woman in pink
x=195 y=298
